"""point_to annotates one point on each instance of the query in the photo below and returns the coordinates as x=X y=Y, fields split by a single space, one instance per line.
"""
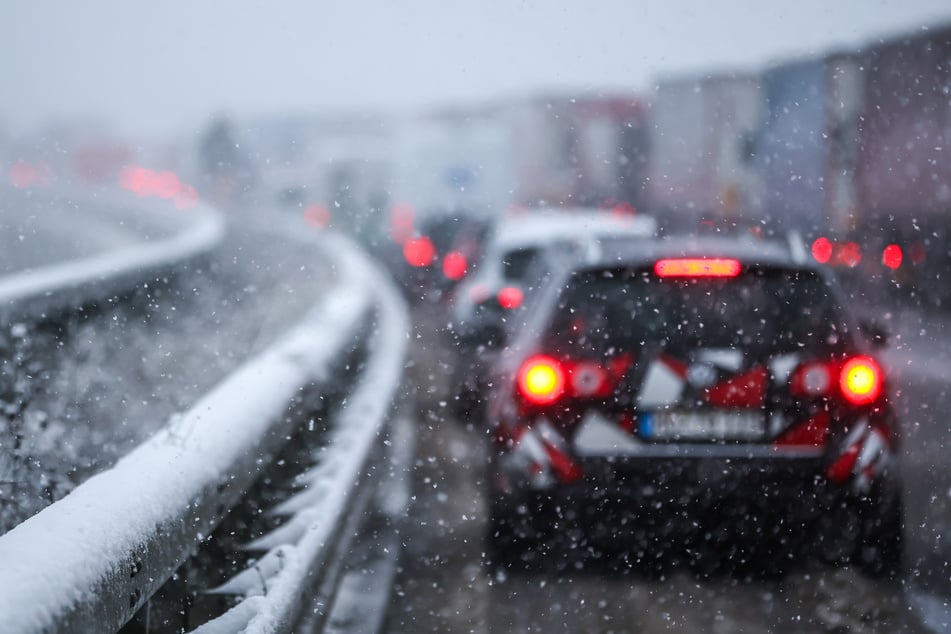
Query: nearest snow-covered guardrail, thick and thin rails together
x=89 y=561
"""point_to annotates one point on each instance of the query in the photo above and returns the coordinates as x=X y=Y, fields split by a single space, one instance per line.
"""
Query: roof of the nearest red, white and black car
x=615 y=252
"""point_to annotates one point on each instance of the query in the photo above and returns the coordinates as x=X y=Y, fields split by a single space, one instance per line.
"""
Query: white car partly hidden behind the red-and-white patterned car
x=524 y=253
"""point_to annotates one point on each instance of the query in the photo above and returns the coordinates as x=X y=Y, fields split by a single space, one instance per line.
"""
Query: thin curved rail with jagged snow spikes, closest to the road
x=297 y=550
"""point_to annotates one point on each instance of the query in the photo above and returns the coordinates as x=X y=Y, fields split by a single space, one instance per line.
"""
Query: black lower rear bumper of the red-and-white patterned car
x=685 y=496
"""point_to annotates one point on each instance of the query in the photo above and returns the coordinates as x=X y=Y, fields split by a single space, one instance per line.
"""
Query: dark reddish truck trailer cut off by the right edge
x=904 y=160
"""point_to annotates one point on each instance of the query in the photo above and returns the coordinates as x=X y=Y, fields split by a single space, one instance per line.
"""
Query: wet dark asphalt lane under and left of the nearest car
x=444 y=586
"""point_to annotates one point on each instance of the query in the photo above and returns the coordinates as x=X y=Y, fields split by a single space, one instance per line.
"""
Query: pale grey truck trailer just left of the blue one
x=701 y=139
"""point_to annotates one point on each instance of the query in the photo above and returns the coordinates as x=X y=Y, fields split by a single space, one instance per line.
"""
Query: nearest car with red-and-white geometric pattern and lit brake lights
x=704 y=398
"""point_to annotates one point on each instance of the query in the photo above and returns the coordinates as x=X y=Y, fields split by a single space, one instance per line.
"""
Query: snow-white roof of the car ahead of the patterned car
x=546 y=226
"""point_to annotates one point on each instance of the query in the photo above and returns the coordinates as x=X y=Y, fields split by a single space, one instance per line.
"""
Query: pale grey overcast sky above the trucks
x=156 y=66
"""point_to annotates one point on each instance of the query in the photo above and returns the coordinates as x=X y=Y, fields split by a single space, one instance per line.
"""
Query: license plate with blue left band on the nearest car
x=708 y=425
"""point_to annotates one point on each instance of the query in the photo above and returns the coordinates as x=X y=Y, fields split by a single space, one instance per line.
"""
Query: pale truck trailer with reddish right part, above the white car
x=586 y=150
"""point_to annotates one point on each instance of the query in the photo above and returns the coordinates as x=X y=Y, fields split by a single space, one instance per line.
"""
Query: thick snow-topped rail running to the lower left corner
x=89 y=561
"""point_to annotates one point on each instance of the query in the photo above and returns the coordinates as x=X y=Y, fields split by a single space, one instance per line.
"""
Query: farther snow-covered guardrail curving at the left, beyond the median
x=39 y=291
